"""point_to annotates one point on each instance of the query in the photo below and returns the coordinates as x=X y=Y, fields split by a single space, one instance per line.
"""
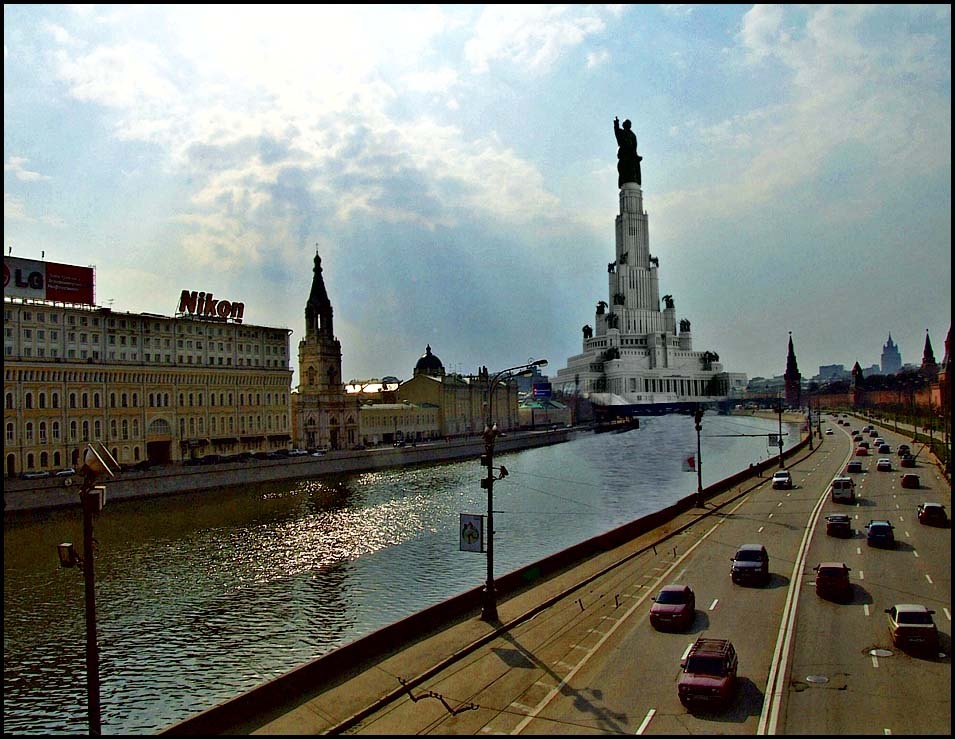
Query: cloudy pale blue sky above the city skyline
x=456 y=168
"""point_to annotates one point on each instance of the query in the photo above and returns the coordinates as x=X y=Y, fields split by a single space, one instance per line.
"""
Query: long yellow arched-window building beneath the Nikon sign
x=149 y=387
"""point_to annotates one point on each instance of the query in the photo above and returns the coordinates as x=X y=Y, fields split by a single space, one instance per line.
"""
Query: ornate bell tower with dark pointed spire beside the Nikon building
x=325 y=416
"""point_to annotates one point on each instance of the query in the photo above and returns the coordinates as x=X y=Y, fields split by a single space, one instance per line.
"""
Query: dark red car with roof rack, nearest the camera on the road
x=709 y=673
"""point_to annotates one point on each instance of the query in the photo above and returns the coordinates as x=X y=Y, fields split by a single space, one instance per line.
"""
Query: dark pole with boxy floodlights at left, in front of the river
x=92 y=498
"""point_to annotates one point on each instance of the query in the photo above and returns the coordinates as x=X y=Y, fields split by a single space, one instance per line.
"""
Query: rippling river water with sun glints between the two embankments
x=203 y=596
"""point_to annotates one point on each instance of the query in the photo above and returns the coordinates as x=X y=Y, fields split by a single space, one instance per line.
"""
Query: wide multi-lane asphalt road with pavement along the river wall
x=575 y=654
